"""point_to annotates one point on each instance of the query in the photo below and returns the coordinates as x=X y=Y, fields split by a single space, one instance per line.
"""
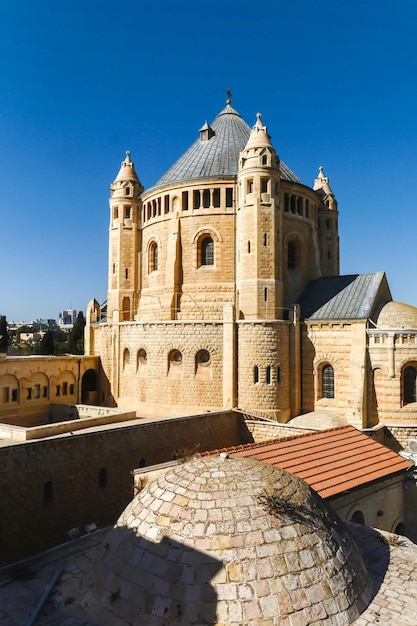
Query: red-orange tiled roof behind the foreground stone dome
x=330 y=461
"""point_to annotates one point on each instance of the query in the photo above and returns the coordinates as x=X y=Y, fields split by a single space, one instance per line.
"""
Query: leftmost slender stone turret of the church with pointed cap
x=124 y=243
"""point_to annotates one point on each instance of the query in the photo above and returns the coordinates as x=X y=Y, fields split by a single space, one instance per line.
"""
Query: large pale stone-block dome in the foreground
x=227 y=541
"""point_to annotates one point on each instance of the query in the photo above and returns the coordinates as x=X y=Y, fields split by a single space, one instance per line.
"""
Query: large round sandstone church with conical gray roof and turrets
x=224 y=291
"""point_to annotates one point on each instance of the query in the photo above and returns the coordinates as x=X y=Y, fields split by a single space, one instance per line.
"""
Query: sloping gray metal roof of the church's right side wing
x=341 y=297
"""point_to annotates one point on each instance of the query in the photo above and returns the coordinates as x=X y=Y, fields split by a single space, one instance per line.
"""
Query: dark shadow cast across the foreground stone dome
x=159 y=583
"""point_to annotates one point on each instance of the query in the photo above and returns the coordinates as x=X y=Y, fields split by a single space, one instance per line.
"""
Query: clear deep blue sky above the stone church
x=81 y=82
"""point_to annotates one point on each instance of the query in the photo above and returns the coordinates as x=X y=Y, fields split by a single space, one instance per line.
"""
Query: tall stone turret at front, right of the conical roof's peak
x=259 y=271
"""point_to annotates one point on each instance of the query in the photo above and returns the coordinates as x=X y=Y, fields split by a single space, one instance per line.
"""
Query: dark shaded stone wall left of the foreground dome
x=49 y=487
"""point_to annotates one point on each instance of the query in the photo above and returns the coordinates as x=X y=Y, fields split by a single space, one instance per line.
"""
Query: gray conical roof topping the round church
x=217 y=156
